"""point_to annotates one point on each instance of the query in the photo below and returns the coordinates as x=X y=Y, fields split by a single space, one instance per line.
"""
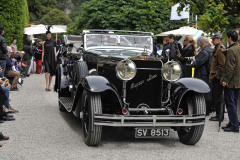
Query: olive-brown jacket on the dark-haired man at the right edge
x=231 y=71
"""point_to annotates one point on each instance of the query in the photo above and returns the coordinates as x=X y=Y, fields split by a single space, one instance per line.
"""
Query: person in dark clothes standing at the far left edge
x=3 y=51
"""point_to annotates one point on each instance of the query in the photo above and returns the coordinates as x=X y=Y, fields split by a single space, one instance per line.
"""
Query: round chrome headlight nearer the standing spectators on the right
x=171 y=71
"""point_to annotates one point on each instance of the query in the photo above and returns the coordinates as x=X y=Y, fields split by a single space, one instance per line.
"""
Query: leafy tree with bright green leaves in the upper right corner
x=214 y=15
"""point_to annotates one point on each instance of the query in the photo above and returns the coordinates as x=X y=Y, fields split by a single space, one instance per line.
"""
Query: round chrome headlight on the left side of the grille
x=126 y=70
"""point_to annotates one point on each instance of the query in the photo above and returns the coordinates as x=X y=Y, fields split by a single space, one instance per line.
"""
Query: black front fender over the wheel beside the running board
x=96 y=84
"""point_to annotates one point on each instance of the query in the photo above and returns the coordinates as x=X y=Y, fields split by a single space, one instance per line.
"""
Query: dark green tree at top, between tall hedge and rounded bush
x=38 y=8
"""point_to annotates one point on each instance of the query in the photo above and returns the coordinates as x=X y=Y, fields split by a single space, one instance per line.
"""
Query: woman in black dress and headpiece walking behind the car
x=49 y=59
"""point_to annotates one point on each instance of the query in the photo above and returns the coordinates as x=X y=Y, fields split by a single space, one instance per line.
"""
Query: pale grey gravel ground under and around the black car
x=42 y=132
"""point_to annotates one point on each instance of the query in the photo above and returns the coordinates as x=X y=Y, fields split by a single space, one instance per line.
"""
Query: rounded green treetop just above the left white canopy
x=56 y=17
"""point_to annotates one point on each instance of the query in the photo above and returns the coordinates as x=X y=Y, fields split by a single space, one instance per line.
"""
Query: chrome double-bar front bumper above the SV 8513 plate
x=149 y=120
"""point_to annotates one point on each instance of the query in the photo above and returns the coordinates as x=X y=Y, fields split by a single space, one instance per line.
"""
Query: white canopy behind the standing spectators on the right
x=182 y=32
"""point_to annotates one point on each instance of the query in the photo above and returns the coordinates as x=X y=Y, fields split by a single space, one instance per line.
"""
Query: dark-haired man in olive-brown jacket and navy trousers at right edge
x=231 y=81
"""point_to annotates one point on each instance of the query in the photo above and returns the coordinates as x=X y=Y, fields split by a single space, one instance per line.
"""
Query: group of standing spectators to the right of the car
x=218 y=67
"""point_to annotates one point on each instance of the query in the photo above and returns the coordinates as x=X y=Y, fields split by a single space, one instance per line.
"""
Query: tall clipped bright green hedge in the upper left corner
x=13 y=17
